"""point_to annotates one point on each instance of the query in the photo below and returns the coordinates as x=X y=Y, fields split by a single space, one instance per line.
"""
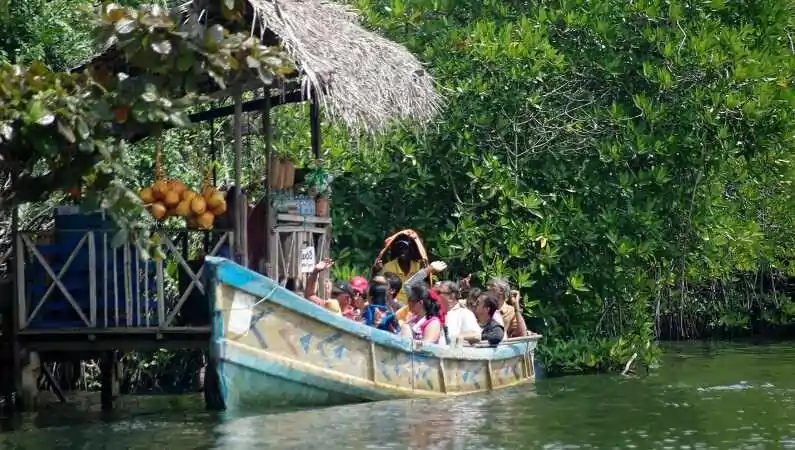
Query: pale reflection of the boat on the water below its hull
x=417 y=424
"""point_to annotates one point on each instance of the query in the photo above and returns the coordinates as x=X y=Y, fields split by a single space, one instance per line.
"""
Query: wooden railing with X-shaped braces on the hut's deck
x=77 y=279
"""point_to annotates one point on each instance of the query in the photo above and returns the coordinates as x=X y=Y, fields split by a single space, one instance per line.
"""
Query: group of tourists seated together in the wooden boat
x=402 y=297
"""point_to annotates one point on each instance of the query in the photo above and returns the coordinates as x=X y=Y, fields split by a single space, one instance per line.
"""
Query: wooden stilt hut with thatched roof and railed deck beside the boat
x=352 y=75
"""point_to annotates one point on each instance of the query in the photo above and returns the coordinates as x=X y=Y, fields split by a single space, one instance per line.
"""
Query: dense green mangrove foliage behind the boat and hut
x=627 y=164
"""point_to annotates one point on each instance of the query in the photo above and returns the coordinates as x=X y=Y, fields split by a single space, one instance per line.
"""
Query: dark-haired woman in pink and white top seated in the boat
x=425 y=322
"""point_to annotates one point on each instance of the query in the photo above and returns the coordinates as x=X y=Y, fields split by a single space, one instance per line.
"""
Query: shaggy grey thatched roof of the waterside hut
x=361 y=79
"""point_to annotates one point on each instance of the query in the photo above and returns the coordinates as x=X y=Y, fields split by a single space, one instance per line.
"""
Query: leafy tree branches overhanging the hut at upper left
x=59 y=130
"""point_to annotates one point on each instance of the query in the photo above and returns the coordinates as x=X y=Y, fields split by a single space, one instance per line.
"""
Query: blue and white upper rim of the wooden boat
x=225 y=272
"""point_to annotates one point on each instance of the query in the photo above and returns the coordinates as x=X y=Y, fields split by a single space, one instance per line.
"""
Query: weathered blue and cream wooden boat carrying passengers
x=271 y=348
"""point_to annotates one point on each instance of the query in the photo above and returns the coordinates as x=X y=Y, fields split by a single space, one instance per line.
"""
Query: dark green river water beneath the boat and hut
x=704 y=396
